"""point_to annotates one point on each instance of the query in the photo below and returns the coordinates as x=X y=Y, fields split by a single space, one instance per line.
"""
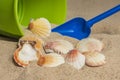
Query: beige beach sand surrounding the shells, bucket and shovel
x=107 y=31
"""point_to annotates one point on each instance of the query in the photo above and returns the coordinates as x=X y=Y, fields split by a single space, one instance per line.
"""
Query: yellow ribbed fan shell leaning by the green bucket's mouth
x=40 y=27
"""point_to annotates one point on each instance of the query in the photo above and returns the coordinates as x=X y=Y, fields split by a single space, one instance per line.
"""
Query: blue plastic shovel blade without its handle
x=75 y=28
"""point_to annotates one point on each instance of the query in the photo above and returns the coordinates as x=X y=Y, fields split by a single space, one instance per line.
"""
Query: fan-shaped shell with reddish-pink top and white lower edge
x=75 y=58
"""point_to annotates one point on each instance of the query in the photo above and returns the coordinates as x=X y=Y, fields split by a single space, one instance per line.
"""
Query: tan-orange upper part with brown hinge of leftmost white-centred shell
x=35 y=42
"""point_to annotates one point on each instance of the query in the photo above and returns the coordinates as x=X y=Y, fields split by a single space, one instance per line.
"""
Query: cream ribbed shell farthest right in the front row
x=94 y=59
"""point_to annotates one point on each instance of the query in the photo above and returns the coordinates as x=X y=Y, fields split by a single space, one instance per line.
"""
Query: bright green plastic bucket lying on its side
x=17 y=13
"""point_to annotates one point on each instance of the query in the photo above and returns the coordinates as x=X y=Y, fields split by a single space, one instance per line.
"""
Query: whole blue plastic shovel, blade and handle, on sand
x=79 y=28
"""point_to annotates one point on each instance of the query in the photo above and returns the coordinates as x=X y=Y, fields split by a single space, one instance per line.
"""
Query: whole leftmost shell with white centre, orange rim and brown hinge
x=29 y=49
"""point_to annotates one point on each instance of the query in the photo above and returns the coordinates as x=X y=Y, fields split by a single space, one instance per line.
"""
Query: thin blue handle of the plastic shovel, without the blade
x=103 y=15
